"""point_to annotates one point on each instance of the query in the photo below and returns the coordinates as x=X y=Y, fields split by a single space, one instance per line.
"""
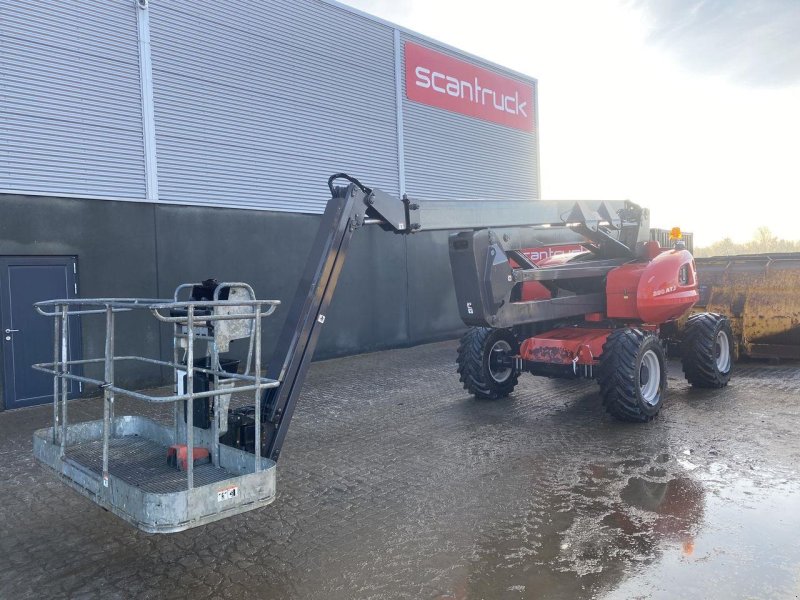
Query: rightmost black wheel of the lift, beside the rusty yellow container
x=707 y=351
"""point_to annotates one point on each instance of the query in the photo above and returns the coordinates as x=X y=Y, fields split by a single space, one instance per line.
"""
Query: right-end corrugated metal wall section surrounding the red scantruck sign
x=451 y=156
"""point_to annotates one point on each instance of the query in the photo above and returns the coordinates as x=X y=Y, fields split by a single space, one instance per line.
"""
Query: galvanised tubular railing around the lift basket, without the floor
x=192 y=321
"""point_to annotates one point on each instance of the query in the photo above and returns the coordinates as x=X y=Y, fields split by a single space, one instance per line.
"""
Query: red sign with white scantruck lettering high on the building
x=439 y=80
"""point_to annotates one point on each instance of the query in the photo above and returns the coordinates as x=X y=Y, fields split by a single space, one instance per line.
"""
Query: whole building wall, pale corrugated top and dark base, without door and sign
x=207 y=109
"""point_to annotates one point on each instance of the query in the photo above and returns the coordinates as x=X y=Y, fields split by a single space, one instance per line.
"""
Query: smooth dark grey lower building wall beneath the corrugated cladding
x=145 y=250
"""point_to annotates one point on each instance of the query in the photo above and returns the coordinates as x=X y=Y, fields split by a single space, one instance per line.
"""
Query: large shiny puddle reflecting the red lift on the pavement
x=627 y=531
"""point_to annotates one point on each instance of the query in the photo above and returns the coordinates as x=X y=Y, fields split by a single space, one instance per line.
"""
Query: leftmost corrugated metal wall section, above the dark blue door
x=70 y=118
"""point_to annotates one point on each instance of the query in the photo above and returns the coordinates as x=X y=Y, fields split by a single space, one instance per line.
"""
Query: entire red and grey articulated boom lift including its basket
x=597 y=313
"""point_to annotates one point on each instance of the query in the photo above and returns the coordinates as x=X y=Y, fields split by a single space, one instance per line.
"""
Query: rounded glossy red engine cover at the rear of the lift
x=655 y=291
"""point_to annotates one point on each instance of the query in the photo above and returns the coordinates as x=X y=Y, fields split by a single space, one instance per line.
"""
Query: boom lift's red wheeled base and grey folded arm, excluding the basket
x=596 y=313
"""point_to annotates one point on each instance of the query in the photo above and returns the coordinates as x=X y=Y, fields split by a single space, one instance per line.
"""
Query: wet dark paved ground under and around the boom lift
x=394 y=483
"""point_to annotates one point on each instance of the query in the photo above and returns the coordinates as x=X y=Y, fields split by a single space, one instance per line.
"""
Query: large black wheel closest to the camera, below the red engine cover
x=629 y=361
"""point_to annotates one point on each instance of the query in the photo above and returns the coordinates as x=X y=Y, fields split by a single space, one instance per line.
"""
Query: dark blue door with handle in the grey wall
x=27 y=335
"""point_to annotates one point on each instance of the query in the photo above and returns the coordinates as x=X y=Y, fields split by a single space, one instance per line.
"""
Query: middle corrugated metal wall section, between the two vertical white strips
x=256 y=104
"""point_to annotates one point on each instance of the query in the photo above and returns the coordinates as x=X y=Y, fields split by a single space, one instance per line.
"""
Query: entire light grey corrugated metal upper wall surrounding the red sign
x=255 y=104
